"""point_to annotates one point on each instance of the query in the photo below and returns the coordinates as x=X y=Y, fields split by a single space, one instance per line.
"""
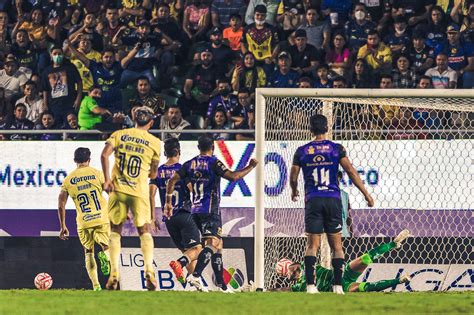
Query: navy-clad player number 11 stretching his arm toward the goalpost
x=204 y=172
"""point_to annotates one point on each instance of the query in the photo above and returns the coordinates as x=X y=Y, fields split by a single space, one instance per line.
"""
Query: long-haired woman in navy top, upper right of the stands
x=435 y=30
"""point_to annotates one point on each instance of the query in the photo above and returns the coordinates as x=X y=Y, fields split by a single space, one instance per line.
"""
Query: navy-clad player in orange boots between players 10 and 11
x=180 y=225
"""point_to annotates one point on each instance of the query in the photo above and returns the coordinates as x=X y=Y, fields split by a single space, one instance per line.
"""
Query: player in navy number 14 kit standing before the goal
x=320 y=160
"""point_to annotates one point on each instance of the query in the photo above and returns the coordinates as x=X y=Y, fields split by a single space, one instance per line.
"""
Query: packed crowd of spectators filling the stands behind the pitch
x=85 y=64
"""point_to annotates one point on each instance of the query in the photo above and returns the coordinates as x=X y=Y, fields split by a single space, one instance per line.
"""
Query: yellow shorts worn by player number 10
x=119 y=203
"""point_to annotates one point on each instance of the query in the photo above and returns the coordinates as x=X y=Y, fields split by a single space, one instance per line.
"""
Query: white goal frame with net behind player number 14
x=413 y=150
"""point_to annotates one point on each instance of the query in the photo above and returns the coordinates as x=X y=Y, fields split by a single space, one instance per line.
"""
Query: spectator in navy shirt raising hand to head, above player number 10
x=148 y=51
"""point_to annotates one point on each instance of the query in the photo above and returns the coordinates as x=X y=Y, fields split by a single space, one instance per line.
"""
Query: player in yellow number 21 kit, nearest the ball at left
x=84 y=185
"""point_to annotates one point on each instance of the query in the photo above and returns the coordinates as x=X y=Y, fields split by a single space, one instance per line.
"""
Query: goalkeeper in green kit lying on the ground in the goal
x=352 y=271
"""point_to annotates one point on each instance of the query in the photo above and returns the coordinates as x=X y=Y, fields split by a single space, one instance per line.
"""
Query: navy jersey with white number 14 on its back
x=319 y=161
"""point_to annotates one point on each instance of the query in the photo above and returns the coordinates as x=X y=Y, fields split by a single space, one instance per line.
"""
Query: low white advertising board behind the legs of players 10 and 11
x=132 y=271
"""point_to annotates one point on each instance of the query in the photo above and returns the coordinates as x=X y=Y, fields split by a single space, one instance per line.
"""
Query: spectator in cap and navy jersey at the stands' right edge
x=460 y=56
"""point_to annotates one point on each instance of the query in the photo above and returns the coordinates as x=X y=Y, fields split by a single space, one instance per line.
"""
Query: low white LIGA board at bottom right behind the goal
x=424 y=277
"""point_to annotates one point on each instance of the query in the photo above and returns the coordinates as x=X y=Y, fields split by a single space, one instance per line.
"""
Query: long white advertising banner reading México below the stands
x=404 y=174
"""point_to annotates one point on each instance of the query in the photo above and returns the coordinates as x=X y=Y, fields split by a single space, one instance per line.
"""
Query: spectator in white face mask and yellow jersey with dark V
x=261 y=39
